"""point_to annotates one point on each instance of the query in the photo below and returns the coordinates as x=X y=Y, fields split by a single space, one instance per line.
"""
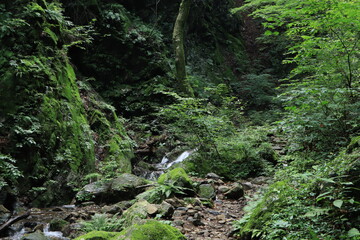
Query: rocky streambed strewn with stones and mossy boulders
x=200 y=208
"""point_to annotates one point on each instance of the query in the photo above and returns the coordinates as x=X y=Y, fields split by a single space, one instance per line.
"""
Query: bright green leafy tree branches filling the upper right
x=321 y=99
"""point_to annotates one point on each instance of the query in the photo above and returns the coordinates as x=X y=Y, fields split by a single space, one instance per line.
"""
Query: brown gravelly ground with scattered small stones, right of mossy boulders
x=216 y=222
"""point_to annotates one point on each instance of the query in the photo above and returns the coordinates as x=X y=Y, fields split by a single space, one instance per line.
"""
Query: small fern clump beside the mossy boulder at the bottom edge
x=101 y=222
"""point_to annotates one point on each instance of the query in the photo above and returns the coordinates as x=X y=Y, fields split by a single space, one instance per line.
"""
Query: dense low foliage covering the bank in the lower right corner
x=317 y=203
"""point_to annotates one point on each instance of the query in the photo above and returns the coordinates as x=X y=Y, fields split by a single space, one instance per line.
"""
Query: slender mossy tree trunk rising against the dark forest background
x=178 y=41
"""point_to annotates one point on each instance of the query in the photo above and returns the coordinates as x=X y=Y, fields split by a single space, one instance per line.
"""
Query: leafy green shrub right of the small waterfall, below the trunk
x=208 y=126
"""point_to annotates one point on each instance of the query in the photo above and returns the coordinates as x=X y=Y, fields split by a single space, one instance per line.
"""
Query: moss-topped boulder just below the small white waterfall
x=176 y=177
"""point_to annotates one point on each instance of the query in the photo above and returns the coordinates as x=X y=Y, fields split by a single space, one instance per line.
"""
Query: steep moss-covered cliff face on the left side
x=50 y=131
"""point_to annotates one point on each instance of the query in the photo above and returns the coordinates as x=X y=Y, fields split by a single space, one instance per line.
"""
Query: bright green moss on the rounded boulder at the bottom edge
x=151 y=230
